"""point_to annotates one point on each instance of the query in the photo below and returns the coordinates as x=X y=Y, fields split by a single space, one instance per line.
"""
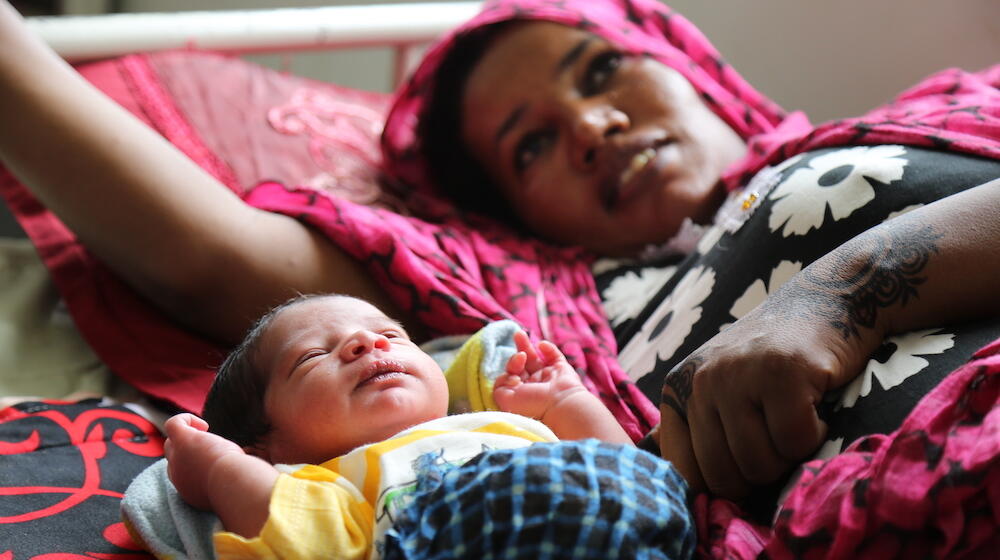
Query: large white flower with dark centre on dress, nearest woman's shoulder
x=838 y=180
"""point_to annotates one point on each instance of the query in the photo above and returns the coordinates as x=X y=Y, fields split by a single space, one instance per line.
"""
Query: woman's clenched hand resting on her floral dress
x=741 y=410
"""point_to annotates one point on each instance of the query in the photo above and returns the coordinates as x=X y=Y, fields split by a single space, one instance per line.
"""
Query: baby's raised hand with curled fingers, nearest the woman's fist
x=535 y=380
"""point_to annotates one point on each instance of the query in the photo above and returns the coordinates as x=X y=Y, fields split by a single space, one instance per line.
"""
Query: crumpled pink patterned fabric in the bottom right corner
x=931 y=489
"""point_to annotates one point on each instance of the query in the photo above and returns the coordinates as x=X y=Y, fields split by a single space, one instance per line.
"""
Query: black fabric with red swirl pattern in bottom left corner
x=64 y=468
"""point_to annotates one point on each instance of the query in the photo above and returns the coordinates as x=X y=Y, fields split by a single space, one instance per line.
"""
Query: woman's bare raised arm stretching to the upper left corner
x=167 y=227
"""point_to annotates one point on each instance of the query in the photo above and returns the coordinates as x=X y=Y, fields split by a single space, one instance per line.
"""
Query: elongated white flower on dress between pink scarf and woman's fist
x=668 y=326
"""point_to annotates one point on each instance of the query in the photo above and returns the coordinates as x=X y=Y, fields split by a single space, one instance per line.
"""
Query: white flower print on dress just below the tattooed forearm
x=903 y=363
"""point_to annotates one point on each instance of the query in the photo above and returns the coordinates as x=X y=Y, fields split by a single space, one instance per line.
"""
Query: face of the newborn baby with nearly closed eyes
x=343 y=375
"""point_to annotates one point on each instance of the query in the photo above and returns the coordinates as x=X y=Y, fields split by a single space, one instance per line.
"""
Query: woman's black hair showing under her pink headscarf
x=453 y=168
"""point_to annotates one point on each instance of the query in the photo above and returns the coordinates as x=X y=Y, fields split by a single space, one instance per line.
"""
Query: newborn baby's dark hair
x=234 y=408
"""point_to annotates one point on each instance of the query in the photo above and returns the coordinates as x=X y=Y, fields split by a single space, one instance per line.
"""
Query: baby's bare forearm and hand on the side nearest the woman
x=541 y=384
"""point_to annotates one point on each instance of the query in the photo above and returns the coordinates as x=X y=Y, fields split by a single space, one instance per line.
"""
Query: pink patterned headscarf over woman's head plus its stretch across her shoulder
x=953 y=110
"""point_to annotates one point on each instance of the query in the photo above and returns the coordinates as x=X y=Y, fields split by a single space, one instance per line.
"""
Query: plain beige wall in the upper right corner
x=839 y=59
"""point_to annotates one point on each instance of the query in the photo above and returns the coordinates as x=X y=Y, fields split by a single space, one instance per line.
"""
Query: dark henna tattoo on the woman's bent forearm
x=874 y=271
